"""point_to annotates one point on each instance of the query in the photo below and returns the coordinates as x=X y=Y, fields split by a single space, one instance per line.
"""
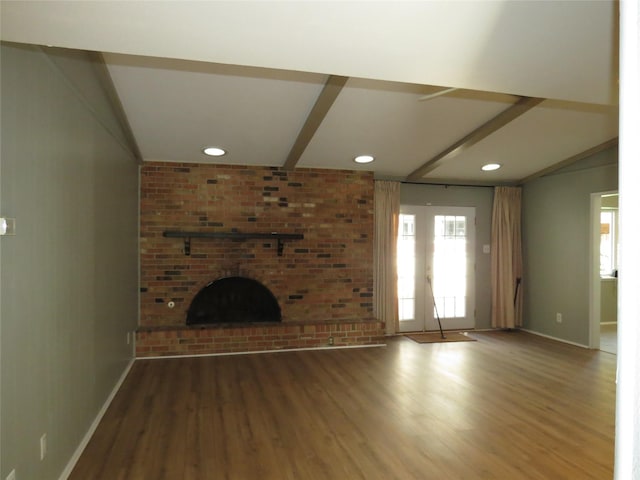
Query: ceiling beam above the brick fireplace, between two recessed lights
x=323 y=104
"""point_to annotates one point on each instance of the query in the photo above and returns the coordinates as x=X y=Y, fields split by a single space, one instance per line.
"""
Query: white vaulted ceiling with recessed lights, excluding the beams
x=246 y=75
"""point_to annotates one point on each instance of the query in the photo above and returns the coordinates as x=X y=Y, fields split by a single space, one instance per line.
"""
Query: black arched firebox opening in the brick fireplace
x=233 y=300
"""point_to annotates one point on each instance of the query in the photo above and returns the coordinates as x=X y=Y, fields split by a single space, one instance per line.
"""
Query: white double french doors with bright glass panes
x=436 y=262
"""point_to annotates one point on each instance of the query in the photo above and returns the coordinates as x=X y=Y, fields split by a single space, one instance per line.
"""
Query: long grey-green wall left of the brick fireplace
x=68 y=291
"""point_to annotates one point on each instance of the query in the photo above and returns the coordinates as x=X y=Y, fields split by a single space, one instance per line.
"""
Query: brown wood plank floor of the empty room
x=509 y=406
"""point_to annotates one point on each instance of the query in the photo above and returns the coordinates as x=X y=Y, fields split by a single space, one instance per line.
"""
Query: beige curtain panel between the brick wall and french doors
x=385 y=277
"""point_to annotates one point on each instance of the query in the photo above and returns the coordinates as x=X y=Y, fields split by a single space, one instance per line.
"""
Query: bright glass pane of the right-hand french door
x=450 y=266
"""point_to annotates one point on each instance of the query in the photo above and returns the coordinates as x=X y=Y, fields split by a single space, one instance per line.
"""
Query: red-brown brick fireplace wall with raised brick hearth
x=322 y=278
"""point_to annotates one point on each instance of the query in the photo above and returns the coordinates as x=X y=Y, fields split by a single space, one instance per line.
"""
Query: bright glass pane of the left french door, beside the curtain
x=406 y=267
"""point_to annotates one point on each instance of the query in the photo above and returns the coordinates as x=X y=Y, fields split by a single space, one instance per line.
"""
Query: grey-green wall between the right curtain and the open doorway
x=555 y=222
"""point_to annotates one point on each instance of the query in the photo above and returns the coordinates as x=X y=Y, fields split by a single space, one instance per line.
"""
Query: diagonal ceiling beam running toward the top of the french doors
x=523 y=105
